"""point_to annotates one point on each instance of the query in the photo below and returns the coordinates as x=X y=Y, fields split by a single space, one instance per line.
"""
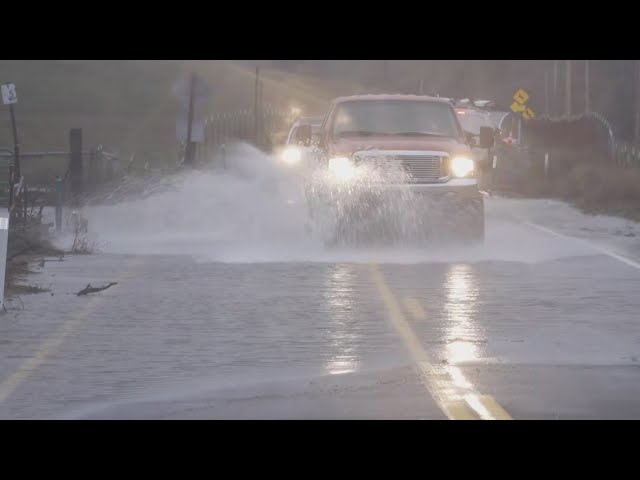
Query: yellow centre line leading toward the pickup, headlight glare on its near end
x=452 y=392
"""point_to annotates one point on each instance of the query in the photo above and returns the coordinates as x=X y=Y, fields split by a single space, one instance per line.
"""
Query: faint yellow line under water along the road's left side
x=55 y=340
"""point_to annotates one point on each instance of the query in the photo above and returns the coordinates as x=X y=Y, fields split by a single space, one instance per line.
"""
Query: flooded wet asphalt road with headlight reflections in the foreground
x=533 y=326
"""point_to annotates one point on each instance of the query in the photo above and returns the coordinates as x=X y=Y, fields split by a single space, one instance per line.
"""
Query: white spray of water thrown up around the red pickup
x=259 y=211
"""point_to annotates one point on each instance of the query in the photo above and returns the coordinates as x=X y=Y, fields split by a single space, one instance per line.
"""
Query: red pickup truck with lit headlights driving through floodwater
x=419 y=141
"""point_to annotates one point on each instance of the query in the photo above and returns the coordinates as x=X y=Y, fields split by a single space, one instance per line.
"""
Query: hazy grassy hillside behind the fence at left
x=128 y=106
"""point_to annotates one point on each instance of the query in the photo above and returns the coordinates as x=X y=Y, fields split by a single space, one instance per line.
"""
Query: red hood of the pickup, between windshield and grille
x=347 y=146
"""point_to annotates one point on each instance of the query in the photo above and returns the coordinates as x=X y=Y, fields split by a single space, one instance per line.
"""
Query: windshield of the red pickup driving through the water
x=395 y=117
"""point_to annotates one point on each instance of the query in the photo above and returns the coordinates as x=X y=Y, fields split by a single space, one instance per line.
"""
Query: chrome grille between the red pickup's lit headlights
x=420 y=167
